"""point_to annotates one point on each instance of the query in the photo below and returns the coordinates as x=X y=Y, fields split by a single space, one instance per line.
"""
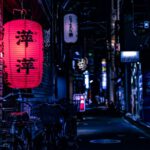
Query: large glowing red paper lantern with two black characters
x=23 y=53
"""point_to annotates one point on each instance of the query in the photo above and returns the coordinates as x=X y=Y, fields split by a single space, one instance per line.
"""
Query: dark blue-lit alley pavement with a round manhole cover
x=102 y=129
